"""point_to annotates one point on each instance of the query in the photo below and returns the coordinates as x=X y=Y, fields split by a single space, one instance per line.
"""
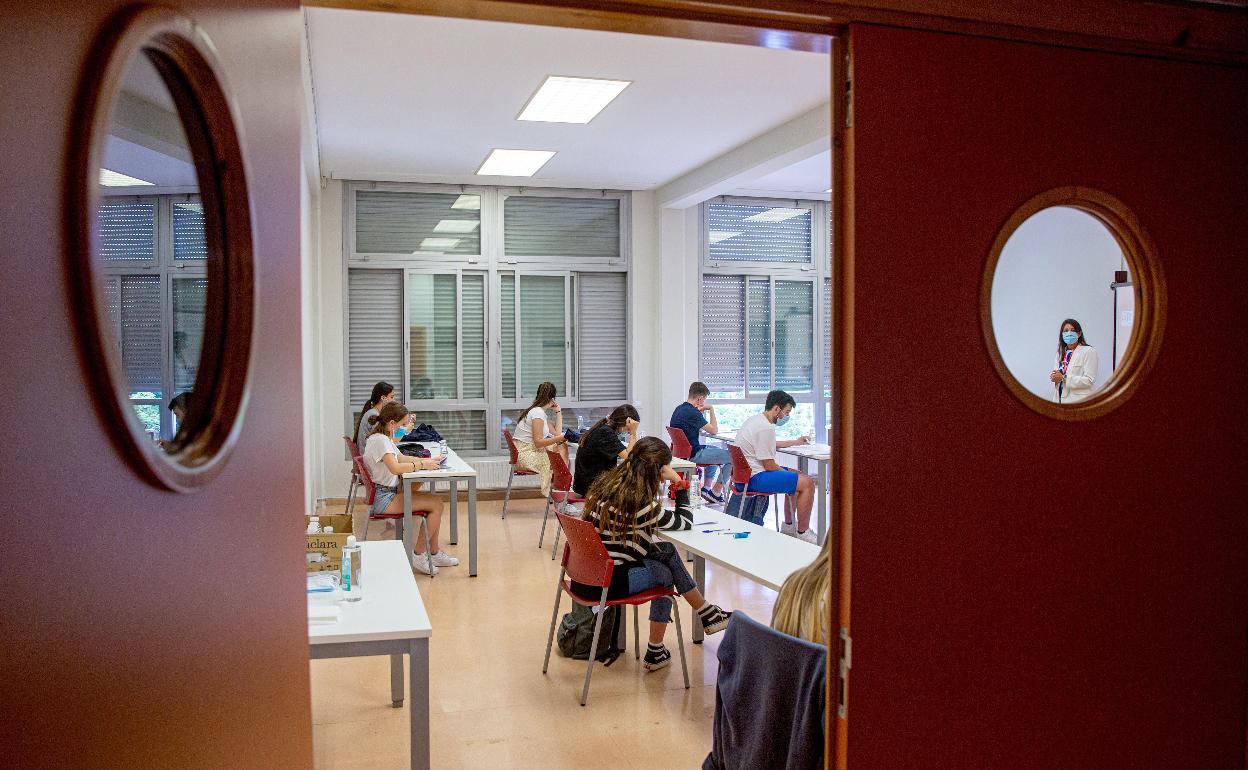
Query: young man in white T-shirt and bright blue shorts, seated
x=758 y=442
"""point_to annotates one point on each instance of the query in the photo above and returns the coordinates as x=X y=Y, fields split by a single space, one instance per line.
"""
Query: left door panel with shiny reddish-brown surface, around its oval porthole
x=144 y=628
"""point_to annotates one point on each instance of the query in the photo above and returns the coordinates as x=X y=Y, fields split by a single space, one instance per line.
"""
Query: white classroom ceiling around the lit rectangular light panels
x=425 y=99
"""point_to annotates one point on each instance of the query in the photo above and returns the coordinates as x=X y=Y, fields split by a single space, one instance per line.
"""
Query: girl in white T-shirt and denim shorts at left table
x=386 y=464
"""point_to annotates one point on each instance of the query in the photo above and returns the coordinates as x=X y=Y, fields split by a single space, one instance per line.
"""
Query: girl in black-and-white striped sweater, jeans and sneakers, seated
x=623 y=507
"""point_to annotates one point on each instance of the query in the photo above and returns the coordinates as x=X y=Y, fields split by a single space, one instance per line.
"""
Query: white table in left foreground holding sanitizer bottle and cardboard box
x=389 y=621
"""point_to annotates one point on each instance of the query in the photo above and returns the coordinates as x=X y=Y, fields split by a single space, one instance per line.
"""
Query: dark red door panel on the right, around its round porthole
x=1026 y=592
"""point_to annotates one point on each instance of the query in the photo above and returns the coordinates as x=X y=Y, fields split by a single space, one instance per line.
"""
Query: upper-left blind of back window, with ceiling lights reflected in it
x=417 y=223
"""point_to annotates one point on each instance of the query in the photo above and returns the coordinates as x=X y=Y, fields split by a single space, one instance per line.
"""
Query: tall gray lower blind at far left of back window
x=375 y=331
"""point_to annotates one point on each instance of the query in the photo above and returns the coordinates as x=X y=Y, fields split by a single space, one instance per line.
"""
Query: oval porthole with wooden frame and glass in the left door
x=162 y=246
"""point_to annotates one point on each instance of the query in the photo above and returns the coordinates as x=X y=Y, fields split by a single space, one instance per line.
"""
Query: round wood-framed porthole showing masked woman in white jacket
x=1073 y=304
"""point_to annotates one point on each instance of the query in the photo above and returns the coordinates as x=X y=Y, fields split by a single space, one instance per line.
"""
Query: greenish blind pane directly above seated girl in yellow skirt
x=544 y=334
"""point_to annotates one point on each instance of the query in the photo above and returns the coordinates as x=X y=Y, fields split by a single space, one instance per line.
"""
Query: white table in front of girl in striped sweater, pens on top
x=767 y=557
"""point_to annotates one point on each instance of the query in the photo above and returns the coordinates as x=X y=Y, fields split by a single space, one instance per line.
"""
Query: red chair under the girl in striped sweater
x=586 y=561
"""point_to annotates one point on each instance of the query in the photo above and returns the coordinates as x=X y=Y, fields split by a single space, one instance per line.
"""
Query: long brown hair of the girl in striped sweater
x=628 y=489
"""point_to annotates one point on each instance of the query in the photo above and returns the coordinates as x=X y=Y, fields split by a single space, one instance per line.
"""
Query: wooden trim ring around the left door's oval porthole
x=188 y=63
